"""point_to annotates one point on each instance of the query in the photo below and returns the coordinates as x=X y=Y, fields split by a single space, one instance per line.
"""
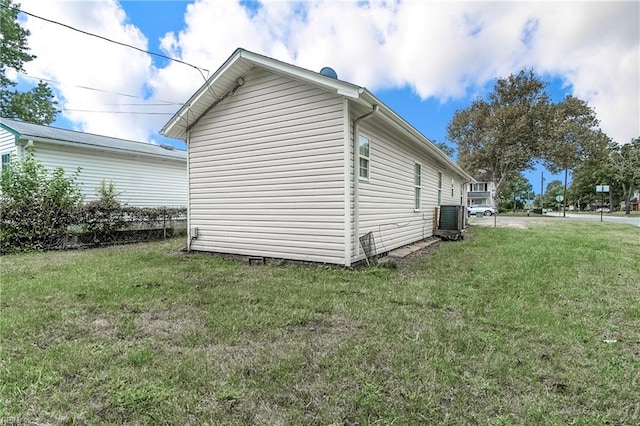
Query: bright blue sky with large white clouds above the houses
x=424 y=59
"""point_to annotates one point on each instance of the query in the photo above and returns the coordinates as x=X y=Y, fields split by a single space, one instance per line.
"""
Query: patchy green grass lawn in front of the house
x=511 y=326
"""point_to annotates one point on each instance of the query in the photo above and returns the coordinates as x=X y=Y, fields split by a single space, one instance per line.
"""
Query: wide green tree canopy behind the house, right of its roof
x=518 y=126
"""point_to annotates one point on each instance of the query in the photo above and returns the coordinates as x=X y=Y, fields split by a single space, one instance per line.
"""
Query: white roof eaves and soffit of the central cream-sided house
x=229 y=77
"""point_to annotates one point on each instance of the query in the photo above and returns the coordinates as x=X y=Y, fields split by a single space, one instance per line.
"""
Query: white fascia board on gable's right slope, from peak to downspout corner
x=340 y=87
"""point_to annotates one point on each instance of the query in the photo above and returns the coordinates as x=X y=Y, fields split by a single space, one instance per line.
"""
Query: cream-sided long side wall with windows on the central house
x=386 y=201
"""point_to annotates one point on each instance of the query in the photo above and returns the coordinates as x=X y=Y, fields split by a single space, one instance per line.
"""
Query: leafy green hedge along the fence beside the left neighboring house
x=41 y=208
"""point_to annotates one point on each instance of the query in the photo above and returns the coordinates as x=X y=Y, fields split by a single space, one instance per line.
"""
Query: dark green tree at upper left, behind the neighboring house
x=36 y=105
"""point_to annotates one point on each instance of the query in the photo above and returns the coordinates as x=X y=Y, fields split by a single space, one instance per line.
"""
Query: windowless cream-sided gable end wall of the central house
x=267 y=172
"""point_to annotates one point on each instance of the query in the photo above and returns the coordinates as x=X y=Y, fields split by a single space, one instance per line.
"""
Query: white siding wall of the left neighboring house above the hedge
x=141 y=181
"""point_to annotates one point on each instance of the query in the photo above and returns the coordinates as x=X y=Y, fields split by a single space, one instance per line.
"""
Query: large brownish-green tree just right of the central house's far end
x=503 y=135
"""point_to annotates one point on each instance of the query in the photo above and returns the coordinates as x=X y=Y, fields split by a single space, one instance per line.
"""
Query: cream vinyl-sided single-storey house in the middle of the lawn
x=288 y=163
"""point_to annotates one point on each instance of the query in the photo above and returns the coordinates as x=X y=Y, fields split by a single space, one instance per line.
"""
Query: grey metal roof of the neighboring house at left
x=23 y=130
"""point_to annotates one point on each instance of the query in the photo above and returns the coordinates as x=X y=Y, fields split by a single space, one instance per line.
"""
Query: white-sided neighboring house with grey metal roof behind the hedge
x=145 y=175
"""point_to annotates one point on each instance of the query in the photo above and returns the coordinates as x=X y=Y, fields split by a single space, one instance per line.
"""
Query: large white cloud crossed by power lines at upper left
x=74 y=59
